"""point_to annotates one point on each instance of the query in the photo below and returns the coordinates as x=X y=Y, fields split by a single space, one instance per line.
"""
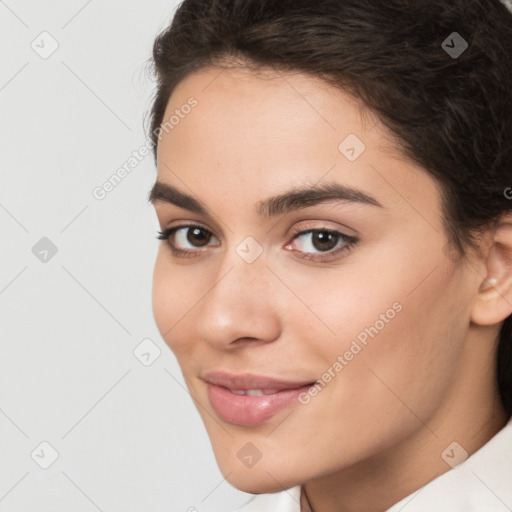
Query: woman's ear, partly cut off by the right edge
x=494 y=300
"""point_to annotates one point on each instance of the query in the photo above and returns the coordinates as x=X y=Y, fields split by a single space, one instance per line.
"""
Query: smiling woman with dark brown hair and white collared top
x=335 y=273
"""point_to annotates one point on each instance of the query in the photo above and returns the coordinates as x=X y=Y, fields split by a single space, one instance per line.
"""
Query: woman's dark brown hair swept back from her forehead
x=451 y=114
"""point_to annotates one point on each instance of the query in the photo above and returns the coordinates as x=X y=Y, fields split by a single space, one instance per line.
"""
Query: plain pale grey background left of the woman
x=128 y=436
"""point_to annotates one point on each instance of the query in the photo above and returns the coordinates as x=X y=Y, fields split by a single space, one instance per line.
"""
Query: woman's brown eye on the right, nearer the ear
x=321 y=243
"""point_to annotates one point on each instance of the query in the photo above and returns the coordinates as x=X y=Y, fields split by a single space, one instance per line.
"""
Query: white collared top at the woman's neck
x=482 y=483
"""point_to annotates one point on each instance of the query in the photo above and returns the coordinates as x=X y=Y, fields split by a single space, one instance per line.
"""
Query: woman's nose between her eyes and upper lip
x=241 y=305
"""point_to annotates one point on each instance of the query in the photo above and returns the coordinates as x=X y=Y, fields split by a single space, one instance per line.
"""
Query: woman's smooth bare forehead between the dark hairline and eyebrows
x=260 y=132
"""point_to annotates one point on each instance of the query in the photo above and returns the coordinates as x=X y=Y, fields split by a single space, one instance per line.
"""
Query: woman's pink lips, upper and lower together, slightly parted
x=251 y=410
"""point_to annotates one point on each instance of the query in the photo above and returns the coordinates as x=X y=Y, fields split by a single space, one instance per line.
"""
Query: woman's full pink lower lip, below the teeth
x=250 y=410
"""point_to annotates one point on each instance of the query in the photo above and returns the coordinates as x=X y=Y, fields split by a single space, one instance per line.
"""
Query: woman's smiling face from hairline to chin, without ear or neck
x=334 y=304
